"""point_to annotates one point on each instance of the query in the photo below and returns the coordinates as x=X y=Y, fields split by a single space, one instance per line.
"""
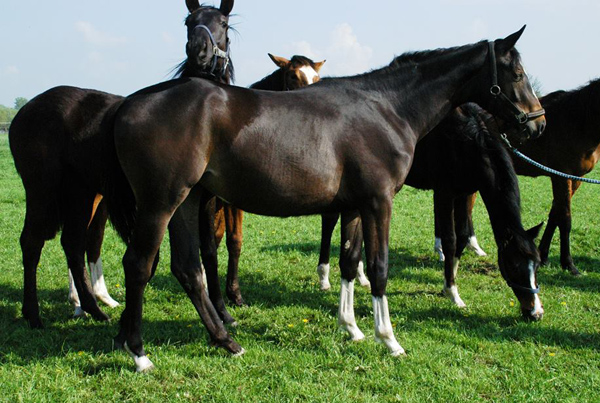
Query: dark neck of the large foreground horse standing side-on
x=425 y=87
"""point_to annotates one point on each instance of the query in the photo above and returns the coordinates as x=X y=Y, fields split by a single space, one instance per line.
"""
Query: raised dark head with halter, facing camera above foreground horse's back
x=207 y=46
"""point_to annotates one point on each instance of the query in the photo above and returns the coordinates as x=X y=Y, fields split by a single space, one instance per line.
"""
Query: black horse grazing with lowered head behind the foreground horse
x=459 y=157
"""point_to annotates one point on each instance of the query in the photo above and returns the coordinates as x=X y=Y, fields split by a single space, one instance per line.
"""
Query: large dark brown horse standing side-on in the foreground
x=341 y=145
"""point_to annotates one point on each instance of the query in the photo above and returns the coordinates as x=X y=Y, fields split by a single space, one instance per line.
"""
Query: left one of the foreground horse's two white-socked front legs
x=351 y=242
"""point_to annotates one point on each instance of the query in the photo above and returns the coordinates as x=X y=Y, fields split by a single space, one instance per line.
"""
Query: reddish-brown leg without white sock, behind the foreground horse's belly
x=233 y=221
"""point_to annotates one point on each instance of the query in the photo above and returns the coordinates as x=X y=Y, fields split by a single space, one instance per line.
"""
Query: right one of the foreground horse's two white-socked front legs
x=376 y=229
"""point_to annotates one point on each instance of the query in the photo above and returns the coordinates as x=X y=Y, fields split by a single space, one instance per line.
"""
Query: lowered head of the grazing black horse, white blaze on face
x=519 y=259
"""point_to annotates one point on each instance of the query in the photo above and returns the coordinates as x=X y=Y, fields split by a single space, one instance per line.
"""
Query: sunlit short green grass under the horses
x=294 y=349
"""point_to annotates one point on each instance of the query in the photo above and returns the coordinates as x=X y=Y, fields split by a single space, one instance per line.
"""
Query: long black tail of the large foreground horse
x=117 y=191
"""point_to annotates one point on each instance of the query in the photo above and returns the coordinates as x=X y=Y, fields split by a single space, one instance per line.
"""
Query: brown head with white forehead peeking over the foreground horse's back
x=298 y=72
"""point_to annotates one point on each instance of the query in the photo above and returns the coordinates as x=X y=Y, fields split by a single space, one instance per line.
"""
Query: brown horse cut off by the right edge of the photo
x=571 y=145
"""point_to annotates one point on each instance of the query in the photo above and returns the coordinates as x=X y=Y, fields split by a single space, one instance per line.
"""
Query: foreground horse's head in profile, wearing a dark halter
x=513 y=100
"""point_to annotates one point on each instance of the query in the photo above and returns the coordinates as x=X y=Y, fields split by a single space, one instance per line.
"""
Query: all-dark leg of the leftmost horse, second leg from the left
x=73 y=240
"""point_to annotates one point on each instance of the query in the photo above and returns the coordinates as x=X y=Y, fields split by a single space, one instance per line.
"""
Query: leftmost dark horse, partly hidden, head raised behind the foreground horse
x=58 y=149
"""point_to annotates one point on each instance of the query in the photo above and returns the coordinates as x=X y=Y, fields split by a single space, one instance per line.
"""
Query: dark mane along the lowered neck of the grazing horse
x=478 y=124
